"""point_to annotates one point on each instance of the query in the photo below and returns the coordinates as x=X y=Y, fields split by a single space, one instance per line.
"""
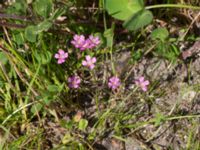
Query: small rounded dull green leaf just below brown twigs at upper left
x=31 y=33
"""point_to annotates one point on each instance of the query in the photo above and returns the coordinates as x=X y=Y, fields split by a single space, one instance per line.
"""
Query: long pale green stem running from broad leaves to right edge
x=172 y=6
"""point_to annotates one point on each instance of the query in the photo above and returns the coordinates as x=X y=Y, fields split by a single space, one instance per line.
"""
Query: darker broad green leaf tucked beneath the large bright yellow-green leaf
x=138 y=20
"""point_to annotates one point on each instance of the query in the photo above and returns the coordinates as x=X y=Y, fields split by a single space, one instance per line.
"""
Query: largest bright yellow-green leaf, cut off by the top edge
x=123 y=9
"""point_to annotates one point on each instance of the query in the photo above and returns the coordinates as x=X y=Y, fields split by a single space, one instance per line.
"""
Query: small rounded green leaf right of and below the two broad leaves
x=160 y=33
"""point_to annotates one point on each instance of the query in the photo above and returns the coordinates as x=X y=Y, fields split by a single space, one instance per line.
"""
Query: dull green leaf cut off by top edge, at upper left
x=43 y=7
